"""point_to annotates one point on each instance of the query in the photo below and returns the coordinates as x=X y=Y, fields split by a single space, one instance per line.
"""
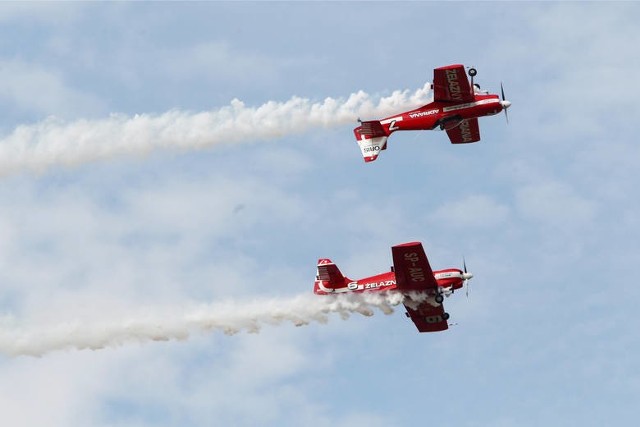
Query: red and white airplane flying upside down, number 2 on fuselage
x=456 y=106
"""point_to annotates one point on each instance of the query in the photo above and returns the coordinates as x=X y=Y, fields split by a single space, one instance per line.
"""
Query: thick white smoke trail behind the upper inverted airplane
x=35 y=147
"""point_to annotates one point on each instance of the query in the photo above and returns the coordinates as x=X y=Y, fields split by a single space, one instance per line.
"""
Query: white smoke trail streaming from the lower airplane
x=229 y=318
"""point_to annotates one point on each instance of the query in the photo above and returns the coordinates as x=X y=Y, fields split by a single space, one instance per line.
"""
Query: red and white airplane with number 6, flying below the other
x=411 y=274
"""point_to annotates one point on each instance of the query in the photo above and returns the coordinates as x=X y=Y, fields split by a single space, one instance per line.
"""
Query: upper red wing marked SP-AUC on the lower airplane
x=413 y=272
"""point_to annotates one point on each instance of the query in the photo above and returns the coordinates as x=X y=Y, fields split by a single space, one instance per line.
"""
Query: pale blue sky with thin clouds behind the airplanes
x=544 y=209
